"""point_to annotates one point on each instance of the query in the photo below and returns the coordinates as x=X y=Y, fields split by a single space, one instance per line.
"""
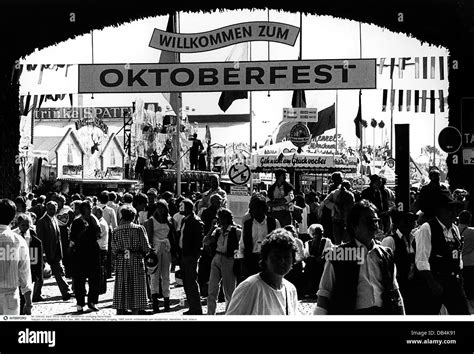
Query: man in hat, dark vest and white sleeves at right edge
x=438 y=261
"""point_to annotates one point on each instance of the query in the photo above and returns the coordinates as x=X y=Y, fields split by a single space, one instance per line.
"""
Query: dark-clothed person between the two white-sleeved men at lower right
x=401 y=242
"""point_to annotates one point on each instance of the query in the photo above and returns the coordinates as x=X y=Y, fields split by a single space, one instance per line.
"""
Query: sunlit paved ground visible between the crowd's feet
x=55 y=307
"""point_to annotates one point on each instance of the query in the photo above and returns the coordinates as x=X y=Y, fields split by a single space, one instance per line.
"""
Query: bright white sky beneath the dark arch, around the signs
x=324 y=37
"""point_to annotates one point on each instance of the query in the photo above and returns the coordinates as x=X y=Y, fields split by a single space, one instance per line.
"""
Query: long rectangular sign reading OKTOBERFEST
x=228 y=76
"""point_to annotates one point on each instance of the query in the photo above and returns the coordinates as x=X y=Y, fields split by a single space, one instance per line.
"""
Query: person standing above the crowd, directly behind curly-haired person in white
x=280 y=195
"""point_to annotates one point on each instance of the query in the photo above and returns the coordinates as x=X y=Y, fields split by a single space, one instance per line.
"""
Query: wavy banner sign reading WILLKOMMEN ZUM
x=223 y=37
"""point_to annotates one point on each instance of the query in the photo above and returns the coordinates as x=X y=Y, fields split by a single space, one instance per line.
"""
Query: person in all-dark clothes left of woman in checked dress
x=85 y=257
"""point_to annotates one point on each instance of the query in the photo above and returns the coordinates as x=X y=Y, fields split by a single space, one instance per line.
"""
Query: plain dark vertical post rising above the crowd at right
x=402 y=166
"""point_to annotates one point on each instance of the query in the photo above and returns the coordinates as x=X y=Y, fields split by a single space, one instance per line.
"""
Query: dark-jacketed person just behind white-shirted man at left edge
x=35 y=248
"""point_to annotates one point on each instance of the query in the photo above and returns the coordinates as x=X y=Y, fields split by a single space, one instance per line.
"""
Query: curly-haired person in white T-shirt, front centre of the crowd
x=268 y=292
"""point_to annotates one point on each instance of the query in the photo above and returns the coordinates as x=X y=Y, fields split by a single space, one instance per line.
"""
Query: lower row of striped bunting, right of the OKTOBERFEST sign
x=404 y=100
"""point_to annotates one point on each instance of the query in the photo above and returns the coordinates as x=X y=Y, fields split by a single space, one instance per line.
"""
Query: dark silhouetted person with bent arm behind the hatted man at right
x=429 y=193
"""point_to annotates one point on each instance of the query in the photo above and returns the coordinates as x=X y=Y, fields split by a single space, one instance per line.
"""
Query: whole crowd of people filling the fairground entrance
x=351 y=252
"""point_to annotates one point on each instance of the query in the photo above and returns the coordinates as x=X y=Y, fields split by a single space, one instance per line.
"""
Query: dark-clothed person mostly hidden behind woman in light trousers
x=209 y=218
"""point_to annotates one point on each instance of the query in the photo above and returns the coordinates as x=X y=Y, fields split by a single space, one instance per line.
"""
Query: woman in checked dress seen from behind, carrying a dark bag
x=129 y=246
